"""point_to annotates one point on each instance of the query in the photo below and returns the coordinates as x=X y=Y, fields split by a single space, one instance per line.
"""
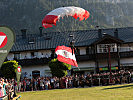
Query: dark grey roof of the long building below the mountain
x=52 y=39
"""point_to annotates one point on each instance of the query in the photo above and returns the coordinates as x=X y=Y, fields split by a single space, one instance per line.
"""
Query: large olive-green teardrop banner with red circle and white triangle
x=7 y=39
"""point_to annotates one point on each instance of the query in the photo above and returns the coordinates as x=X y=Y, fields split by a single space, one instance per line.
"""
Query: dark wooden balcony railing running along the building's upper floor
x=45 y=60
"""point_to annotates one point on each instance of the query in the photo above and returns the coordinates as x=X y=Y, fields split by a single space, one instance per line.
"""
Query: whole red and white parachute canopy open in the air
x=53 y=16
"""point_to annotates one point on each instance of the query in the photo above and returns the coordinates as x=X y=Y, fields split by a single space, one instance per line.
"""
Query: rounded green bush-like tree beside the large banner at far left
x=8 y=69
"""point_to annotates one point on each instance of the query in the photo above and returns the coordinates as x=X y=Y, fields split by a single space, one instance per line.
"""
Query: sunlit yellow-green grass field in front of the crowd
x=115 y=92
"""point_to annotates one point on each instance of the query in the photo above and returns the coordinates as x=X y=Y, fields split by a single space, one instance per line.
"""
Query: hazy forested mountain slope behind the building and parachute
x=19 y=14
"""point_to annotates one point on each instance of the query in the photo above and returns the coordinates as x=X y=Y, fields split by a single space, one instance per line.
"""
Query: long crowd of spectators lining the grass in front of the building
x=46 y=83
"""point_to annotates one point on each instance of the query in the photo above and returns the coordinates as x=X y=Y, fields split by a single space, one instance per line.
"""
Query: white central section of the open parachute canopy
x=62 y=11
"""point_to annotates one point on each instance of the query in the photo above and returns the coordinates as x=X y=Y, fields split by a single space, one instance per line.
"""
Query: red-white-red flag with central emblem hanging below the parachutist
x=64 y=54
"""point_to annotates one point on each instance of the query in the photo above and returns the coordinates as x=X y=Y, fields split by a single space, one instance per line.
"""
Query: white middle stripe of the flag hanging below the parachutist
x=61 y=52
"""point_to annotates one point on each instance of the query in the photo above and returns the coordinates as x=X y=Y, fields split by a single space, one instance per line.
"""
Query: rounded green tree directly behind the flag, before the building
x=58 y=69
